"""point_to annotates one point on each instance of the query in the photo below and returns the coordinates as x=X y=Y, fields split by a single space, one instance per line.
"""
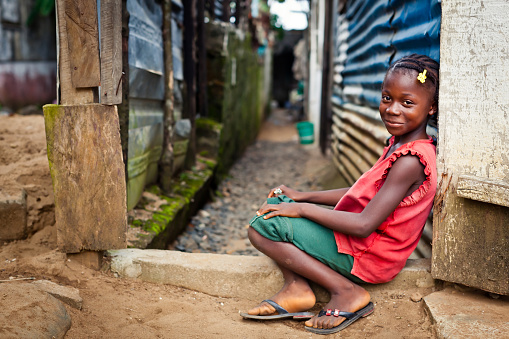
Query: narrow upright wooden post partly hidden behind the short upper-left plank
x=68 y=94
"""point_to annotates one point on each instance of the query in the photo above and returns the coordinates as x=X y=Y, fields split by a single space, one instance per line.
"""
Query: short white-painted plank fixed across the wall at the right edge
x=483 y=189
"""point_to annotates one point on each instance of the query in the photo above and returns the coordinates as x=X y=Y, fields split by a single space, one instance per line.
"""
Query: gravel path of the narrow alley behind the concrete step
x=276 y=158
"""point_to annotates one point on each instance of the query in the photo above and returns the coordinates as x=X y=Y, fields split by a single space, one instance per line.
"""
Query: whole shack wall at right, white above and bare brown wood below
x=471 y=235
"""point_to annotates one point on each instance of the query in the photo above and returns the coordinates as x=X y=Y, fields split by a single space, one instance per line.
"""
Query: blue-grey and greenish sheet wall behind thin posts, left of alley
x=146 y=89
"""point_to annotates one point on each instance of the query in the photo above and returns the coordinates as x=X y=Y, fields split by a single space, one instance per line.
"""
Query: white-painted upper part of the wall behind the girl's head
x=474 y=88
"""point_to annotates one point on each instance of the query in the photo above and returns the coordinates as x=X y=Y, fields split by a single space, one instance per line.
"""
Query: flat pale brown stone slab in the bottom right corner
x=468 y=314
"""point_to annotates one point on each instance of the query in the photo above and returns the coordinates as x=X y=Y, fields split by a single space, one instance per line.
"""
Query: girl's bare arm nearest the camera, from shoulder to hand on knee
x=405 y=172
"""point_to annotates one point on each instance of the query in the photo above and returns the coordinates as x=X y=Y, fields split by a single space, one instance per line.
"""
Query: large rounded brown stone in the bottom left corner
x=28 y=312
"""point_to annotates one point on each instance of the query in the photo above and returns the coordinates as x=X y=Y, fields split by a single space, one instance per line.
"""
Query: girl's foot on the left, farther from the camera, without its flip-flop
x=294 y=297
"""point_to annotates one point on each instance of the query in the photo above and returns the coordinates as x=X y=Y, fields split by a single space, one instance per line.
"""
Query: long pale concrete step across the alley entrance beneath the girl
x=248 y=277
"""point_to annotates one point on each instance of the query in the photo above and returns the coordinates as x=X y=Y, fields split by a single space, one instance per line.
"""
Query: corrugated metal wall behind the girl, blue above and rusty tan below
x=368 y=37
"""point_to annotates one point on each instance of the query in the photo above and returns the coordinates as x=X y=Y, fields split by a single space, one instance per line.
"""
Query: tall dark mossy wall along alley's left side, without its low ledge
x=235 y=90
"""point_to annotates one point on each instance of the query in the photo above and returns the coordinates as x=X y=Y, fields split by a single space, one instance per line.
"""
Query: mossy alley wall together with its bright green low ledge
x=237 y=102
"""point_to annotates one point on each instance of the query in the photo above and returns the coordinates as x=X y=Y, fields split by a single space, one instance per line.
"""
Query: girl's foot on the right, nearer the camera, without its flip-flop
x=347 y=301
